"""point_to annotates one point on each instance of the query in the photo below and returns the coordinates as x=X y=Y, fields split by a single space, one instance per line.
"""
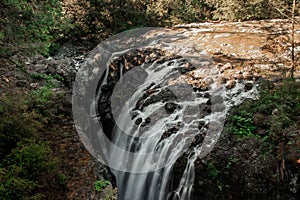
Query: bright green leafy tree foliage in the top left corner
x=31 y=26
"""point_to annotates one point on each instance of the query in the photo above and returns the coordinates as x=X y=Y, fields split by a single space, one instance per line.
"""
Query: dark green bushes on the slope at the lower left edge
x=23 y=157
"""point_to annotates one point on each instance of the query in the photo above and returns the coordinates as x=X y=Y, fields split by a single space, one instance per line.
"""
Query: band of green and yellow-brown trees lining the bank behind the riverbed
x=39 y=26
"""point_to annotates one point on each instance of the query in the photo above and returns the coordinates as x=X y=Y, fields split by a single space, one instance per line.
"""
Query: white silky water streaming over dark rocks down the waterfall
x=139 y=149
